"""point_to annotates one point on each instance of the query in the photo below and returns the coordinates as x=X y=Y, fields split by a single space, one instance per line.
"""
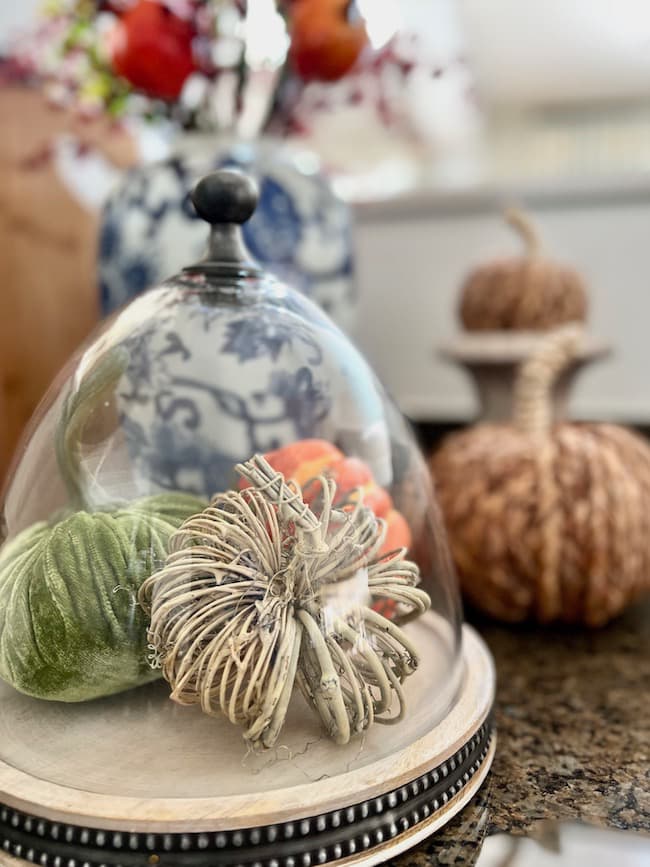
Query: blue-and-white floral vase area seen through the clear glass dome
x=177 y=388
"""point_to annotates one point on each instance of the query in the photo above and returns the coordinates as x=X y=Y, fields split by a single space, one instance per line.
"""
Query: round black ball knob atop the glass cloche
x=225 y=196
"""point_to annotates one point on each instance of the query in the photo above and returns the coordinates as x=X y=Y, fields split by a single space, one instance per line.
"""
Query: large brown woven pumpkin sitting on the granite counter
x=547 y=521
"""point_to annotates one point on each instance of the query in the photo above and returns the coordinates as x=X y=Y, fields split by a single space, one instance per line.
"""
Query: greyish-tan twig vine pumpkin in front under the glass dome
x=259 y=594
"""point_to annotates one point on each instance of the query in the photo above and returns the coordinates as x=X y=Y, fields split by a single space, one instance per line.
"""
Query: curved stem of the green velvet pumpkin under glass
x=77 y=410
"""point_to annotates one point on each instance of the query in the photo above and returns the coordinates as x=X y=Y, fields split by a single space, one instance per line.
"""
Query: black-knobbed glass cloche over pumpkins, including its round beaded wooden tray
x=226 y=602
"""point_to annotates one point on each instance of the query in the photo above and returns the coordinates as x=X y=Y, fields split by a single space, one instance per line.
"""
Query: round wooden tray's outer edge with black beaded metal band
x=398 y=802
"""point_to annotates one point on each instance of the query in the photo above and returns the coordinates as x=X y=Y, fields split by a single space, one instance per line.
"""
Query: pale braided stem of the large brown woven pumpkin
x=533 y=407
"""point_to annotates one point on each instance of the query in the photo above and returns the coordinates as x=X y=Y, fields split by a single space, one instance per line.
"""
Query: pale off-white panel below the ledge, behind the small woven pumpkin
x=411 y=259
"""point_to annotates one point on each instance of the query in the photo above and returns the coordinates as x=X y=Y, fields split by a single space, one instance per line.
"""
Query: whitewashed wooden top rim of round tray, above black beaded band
x=55 y=802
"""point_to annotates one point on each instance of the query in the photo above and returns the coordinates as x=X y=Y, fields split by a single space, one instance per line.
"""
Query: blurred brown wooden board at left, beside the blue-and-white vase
x=48 y=290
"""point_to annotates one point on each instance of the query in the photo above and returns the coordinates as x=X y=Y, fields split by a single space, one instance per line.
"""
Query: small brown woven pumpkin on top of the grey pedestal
x=529 y=292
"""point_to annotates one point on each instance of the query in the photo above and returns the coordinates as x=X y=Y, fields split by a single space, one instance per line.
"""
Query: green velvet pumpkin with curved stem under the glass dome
x=70 y=625
